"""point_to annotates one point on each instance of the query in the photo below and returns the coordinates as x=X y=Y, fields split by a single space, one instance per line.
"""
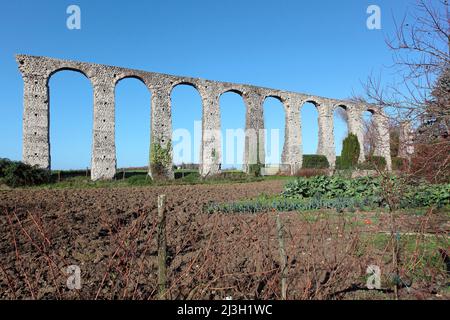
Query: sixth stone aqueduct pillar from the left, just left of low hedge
x=292 y=150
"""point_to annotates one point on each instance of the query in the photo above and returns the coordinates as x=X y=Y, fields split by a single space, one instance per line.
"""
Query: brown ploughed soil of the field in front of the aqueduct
x=111 y=235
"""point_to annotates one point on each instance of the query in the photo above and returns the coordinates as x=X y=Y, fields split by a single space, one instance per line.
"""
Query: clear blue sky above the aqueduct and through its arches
x=320 y=47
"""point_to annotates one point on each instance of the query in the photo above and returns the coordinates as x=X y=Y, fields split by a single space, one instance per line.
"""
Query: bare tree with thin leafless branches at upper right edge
x=420 y=92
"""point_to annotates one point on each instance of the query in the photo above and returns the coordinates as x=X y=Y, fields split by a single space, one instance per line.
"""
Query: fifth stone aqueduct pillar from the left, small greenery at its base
x=254 y=152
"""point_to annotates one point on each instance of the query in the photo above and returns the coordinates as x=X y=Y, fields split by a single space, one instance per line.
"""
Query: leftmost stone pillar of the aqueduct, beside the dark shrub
x=36 y=115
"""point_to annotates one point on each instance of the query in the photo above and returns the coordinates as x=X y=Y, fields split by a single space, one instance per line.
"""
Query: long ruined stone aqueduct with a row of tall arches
x=36 y=72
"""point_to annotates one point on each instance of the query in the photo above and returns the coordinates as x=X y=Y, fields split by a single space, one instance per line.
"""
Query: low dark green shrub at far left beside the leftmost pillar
x=18 y=174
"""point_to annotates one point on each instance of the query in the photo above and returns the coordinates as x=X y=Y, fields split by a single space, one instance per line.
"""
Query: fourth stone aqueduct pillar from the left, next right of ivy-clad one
x=210 y=150
